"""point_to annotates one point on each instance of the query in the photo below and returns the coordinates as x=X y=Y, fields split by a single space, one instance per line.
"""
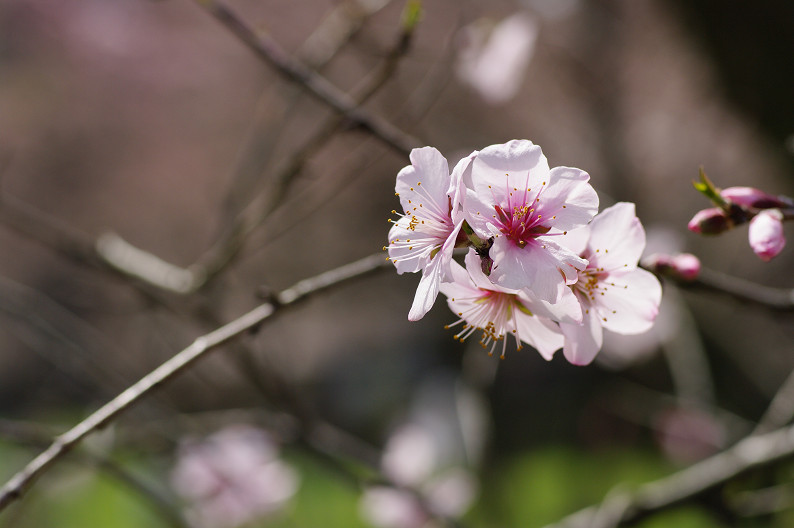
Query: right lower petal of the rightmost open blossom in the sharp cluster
x=631 y=305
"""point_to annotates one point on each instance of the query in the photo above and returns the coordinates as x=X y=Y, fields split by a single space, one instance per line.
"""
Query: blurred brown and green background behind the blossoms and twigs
x=150 y=120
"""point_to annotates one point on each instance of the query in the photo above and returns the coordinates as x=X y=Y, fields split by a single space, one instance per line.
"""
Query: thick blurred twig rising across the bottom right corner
x=625 y=508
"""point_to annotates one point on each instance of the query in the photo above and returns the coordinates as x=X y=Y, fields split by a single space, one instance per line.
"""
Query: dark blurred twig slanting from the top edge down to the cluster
x=268 y=50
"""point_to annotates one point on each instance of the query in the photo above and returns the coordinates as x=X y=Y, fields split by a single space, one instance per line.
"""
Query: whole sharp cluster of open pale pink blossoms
x=541 y=265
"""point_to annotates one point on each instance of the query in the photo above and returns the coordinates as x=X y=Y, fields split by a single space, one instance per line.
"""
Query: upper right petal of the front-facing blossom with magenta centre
x=568 y=201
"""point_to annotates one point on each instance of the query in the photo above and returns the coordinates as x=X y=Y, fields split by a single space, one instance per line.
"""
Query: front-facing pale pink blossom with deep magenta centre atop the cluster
x=513 y=197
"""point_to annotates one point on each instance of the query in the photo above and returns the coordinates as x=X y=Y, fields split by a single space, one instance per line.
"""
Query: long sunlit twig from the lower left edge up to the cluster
x=20 y=482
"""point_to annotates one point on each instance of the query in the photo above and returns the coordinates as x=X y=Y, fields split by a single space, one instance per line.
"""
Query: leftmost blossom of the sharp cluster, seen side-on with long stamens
x=423 y=239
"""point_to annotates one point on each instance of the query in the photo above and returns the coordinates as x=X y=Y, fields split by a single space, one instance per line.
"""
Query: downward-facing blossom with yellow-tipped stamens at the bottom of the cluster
x=498 y=312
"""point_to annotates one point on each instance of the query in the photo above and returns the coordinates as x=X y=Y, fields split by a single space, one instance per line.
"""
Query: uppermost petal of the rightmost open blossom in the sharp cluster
x=618 y=236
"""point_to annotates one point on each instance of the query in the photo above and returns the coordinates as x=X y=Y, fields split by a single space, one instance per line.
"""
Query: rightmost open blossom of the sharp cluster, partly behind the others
x=614 y=293
